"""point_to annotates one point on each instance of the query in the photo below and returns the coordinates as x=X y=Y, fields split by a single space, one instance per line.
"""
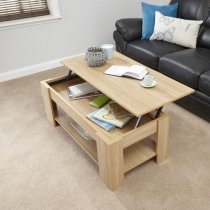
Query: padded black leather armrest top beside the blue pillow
x=129 y=28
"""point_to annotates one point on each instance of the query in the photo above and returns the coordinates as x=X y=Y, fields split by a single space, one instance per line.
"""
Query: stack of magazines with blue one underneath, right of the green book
x=110 y=116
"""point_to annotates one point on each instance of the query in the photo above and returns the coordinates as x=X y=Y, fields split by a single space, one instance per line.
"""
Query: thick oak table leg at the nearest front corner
x=111 y=164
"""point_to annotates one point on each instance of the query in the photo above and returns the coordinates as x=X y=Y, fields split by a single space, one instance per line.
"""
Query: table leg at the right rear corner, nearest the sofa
x=162 y=138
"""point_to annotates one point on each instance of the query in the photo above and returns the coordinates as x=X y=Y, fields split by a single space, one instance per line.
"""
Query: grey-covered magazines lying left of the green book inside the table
x=83 y=90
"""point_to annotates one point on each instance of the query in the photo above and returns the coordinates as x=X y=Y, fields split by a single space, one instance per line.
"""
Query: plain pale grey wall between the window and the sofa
x=85 y=23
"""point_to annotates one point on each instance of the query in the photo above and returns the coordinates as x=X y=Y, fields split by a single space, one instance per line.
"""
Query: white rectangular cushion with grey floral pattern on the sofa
x=175 y=30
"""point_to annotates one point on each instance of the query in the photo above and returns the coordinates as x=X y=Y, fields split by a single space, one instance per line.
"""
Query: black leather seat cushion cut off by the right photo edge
x=204 y=83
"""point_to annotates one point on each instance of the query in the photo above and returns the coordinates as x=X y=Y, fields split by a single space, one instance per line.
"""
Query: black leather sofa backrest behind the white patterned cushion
x=197 y=10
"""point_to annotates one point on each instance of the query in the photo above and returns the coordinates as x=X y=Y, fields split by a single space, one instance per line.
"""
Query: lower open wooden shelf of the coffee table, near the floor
x=134 y=155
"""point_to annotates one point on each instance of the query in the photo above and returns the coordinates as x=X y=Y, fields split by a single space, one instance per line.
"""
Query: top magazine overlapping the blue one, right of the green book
x=105 y=114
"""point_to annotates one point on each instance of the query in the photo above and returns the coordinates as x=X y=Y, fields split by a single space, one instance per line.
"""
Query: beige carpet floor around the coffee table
x=41 y=168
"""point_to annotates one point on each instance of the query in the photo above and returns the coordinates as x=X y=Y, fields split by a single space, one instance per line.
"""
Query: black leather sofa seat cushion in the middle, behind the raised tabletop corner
x=186 y=66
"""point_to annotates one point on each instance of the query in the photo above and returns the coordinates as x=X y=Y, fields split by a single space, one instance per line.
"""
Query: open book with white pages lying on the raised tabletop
x=135 y=71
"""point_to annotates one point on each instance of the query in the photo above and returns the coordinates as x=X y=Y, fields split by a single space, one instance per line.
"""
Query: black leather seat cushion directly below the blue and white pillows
x=148 y=52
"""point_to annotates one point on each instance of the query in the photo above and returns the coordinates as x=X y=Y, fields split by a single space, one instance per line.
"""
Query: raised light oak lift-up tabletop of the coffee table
x=128 y=92
